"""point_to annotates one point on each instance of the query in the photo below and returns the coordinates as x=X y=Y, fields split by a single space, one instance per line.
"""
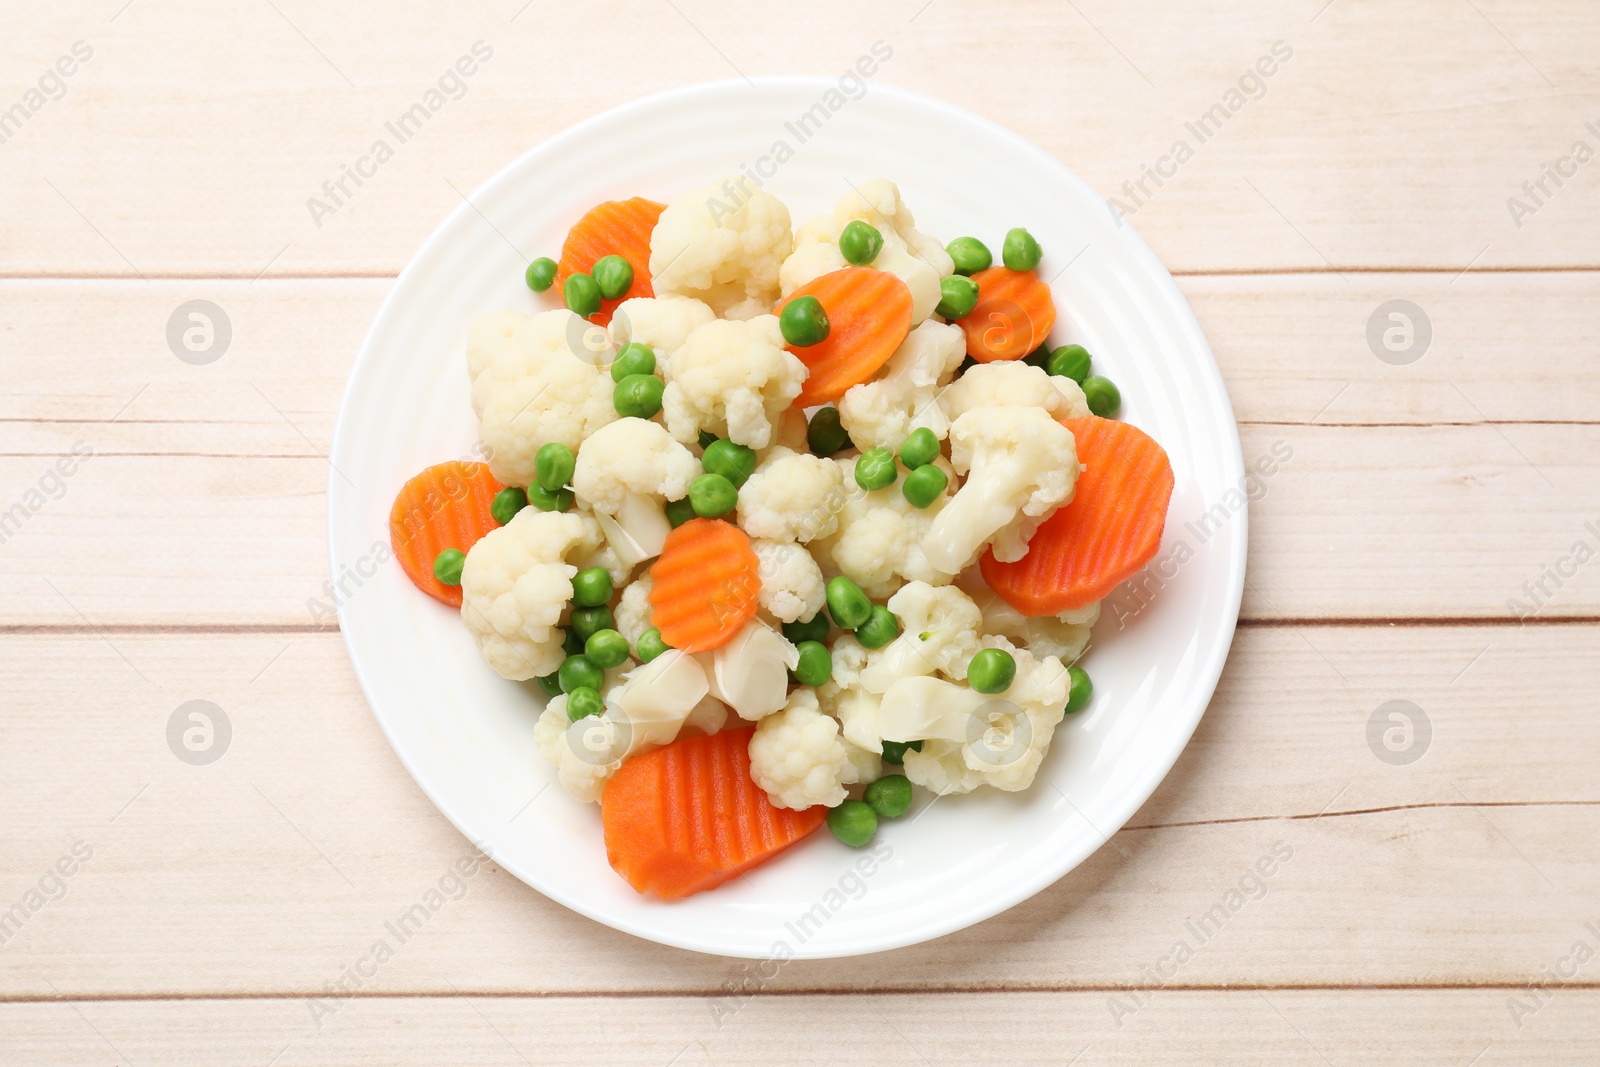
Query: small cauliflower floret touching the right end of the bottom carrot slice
x=799 y=757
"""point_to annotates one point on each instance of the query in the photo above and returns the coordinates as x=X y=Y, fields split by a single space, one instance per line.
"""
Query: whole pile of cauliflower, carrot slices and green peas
x=785 y=522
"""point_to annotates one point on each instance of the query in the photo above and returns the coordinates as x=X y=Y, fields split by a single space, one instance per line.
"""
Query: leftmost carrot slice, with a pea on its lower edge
x=444 y=508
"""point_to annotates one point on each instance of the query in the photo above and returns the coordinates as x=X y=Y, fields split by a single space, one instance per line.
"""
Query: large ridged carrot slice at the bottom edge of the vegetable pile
x=687 y=818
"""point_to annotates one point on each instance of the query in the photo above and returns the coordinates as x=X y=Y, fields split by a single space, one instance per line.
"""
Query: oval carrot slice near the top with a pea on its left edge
x=868 y=318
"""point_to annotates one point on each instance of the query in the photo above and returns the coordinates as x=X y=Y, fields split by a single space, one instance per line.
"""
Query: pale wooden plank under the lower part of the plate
x=278 y=866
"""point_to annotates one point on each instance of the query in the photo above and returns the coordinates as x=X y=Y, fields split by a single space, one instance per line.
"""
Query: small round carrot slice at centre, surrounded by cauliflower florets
x=705 y=585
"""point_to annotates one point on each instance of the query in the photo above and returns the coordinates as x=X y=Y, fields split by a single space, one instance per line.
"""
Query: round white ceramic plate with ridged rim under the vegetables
x=466 y=735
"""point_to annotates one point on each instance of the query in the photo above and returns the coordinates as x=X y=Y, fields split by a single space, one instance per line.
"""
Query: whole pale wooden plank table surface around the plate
x=1398 y=556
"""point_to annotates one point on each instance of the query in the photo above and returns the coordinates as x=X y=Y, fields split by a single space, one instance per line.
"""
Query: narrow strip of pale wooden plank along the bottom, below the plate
x=1287 y=1028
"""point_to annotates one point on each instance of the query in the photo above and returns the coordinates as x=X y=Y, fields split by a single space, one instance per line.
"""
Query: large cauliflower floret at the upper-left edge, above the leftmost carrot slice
x=530 y=390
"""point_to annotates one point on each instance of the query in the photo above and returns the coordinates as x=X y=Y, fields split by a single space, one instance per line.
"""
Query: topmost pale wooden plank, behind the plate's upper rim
x=1390 y=138
